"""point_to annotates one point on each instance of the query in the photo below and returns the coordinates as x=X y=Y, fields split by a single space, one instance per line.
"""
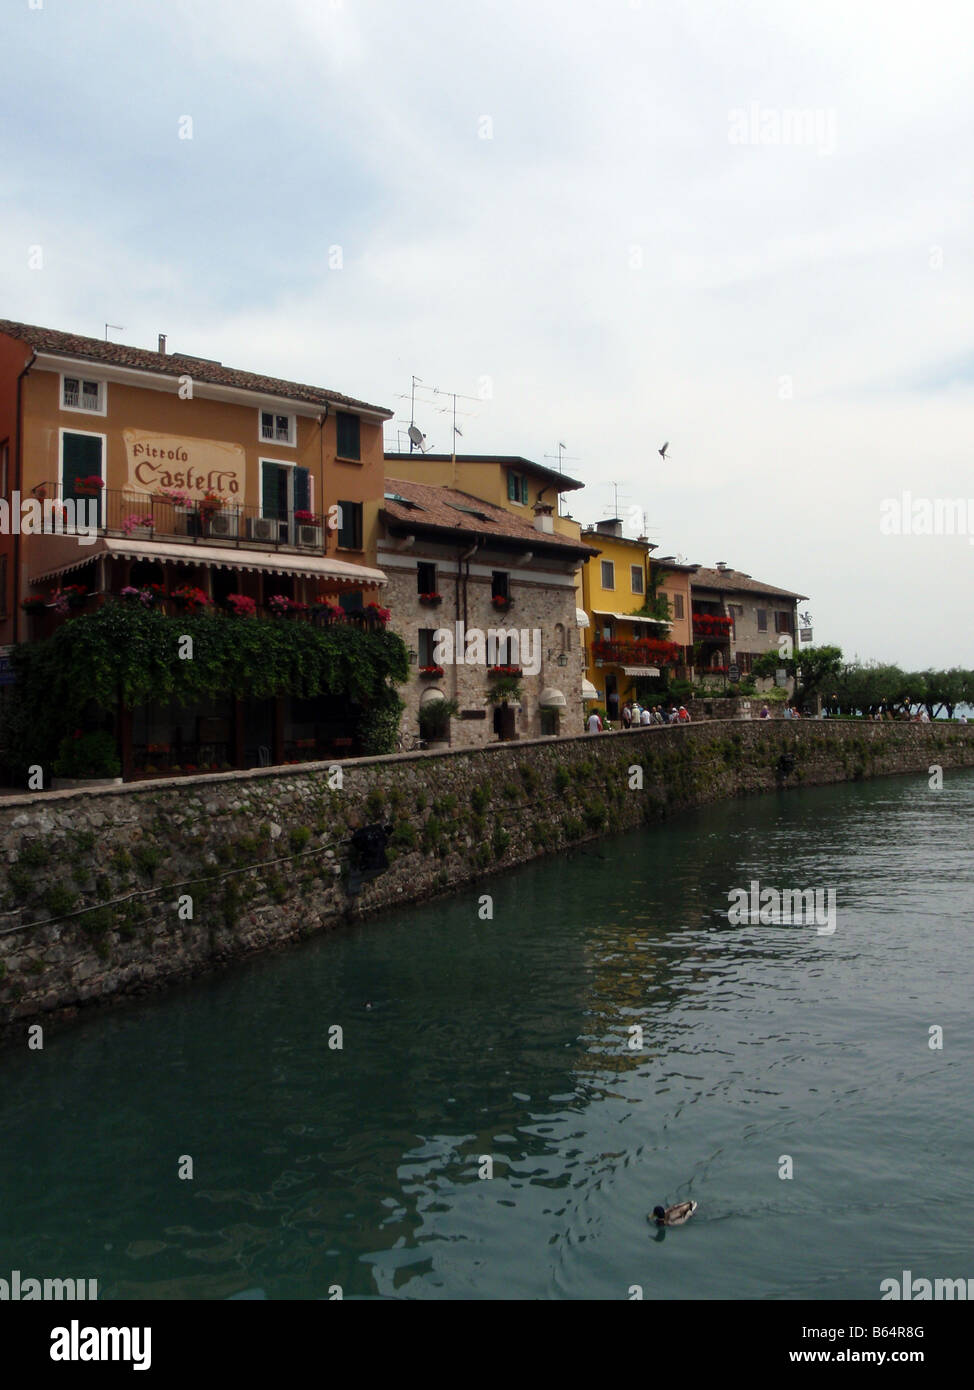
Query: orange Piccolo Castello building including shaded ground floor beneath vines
x=127 y=472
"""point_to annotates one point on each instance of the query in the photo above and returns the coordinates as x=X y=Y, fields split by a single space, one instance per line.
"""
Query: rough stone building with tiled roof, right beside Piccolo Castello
x=474 y=590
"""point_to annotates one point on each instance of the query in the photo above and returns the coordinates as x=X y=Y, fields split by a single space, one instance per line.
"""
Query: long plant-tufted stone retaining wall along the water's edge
x=116 y=892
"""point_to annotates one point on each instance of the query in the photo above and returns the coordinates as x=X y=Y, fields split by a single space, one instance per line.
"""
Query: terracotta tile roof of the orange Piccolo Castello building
x=172 y=365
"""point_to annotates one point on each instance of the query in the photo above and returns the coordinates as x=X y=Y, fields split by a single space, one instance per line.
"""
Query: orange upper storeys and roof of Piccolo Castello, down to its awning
x=297 y=473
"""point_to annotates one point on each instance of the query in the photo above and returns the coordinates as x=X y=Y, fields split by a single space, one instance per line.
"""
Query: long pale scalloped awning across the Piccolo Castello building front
x=213 y=557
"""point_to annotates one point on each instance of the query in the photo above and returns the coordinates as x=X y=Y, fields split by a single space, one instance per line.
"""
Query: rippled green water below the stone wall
x=361 y=1168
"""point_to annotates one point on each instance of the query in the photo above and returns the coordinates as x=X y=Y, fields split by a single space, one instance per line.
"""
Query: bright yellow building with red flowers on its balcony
x=626 y=646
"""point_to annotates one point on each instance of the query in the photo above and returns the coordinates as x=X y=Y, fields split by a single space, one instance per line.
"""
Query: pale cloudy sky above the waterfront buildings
x=744 y=229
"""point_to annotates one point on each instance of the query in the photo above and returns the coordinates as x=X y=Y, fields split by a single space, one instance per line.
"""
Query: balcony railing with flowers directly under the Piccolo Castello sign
x=149 y=516
